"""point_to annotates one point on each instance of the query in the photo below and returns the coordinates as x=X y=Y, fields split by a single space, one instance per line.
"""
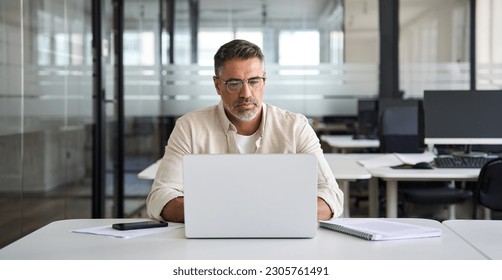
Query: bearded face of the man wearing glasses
x=245 y=104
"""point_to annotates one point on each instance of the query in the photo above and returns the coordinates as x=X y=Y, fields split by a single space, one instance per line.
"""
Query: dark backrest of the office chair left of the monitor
x=400 y=130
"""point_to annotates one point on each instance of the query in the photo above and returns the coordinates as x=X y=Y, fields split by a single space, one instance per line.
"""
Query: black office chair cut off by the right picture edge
x=488 y=190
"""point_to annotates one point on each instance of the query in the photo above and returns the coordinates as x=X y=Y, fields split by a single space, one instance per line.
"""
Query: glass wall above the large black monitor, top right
x=435 y=45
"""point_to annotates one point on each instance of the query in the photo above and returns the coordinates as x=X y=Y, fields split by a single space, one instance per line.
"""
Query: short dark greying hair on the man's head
x=235 y=49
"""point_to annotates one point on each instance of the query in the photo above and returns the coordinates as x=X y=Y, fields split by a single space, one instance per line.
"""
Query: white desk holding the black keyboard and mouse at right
x=392 y=176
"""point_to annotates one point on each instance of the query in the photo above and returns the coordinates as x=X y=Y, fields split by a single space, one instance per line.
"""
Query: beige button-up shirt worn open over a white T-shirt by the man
x=208 y=131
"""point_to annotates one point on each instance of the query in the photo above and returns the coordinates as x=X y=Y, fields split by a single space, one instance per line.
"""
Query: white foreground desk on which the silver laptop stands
x=56 y=242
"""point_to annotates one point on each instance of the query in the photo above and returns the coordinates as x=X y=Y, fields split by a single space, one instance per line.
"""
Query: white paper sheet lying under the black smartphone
x=111 y=232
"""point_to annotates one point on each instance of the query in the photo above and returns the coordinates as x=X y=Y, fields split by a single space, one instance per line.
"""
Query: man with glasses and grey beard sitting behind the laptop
x=240 y=123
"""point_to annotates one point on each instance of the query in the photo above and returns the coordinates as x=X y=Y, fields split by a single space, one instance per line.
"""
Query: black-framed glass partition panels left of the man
x=46 y=110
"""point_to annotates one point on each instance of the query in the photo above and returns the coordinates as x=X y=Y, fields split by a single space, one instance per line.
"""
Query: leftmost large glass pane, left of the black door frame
x=45 y=114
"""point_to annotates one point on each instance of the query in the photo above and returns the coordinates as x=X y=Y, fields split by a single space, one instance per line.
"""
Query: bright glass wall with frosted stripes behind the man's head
x=303 y=45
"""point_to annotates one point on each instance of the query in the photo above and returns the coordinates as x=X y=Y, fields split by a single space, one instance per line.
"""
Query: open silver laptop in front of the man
x=250 y=195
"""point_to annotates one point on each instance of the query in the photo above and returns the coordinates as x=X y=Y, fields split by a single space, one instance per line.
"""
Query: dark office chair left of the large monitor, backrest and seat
x=400 y=133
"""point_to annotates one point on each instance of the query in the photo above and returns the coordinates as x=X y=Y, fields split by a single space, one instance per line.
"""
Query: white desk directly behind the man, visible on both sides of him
x=344 y=167
